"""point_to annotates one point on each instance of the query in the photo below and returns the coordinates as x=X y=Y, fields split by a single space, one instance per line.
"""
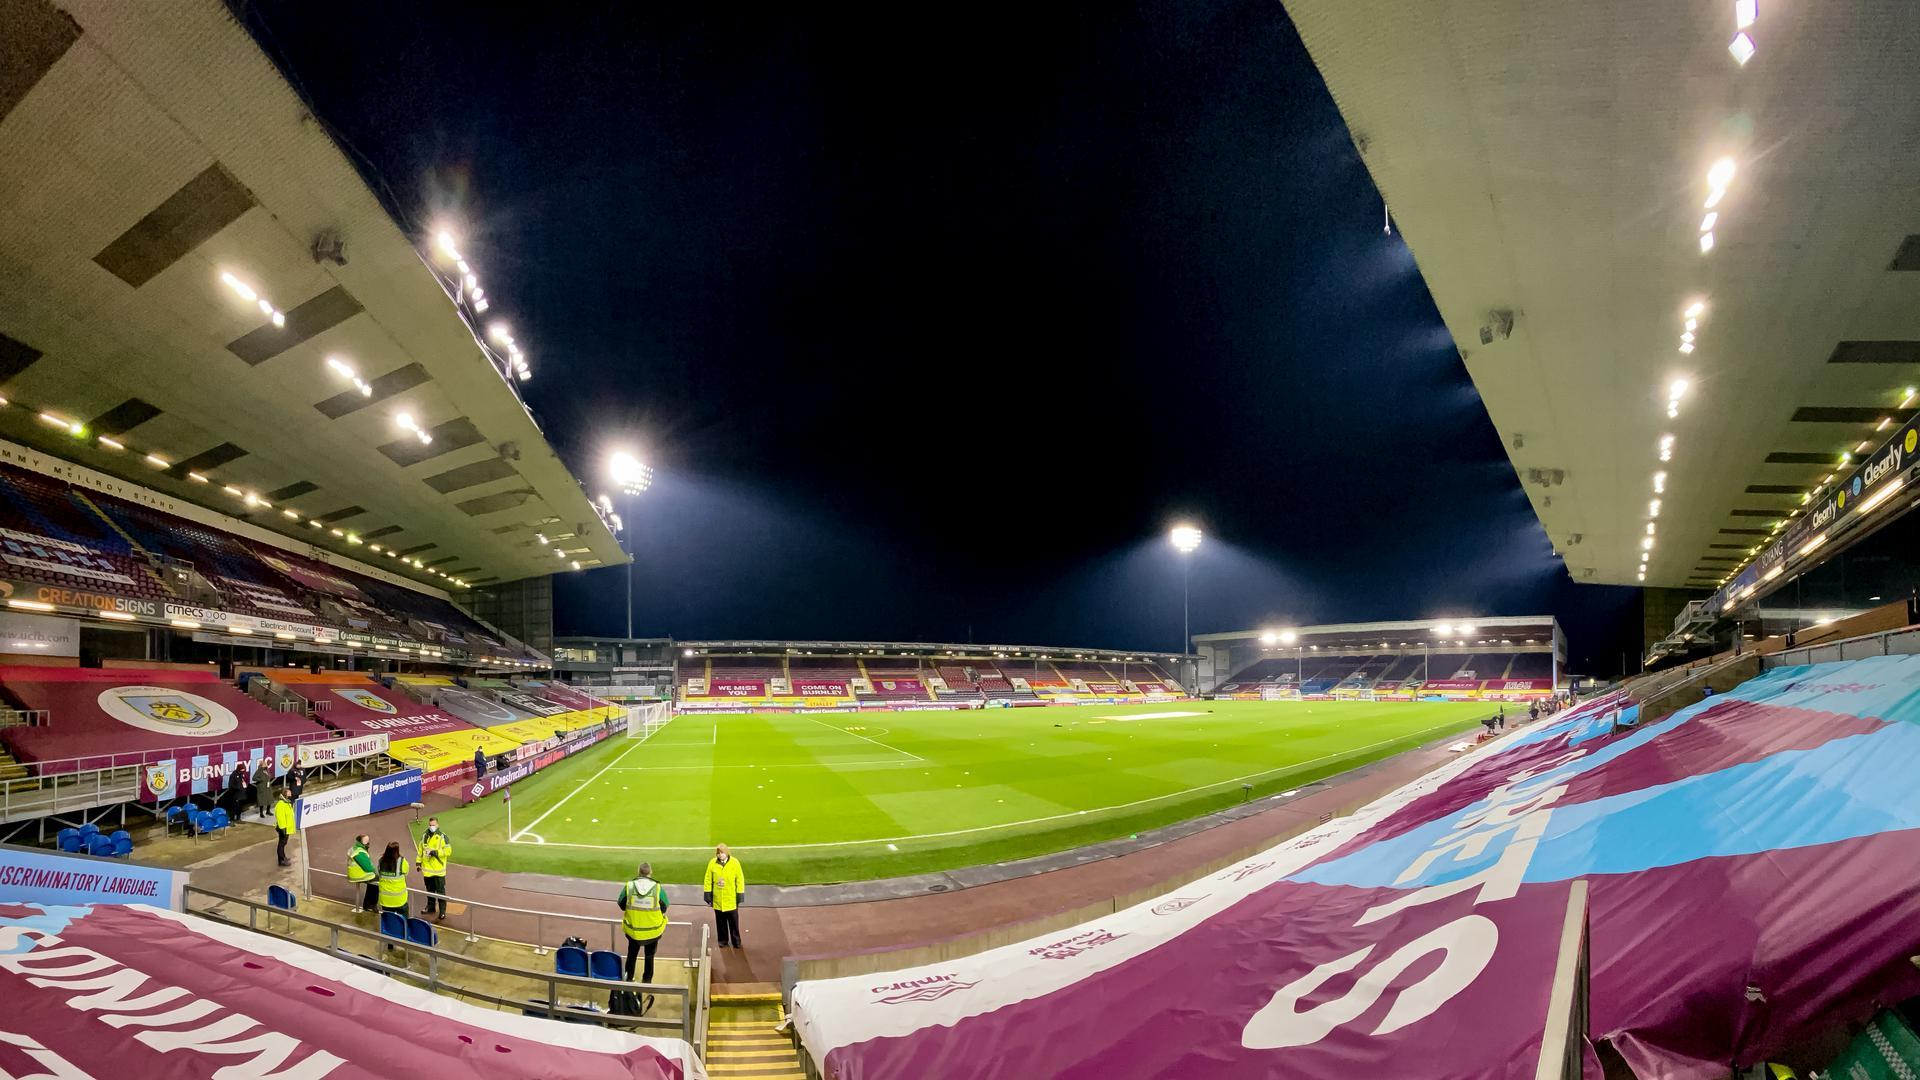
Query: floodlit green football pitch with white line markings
x=850 y=797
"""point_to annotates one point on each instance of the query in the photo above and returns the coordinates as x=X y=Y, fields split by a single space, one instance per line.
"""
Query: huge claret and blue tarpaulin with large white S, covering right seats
x=1750 y=883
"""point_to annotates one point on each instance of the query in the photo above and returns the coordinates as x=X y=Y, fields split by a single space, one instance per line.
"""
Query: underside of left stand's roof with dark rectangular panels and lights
x=155 y=172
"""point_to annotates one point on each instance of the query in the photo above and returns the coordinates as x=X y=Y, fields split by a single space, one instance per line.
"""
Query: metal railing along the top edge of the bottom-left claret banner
x=439 y=981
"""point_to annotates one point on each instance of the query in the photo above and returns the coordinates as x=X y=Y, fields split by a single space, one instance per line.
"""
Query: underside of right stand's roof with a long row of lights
x=1550 y=168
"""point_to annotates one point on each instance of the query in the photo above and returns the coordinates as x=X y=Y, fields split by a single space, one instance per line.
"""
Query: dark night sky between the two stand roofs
x=934 y=320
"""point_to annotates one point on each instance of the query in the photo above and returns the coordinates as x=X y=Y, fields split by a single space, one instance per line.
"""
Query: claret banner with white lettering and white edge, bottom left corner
x=141 y=993
